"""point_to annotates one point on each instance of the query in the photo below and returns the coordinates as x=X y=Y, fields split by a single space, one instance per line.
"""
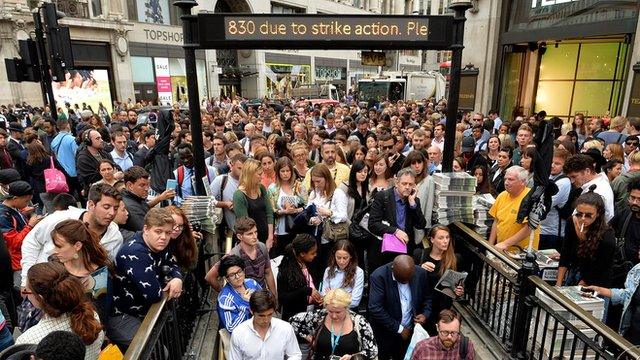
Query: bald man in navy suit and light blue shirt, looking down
x=399 y=297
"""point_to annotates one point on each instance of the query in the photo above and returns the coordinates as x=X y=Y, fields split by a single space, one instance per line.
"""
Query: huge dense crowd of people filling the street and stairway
x=307 y=194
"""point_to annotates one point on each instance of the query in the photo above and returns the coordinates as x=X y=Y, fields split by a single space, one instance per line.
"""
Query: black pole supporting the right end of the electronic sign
x=454 y=86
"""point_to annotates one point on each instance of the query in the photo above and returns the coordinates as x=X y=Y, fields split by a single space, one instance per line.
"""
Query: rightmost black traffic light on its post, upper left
x=58 y=41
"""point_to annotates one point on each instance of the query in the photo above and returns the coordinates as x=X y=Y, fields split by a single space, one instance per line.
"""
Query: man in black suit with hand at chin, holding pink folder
x=395 y=211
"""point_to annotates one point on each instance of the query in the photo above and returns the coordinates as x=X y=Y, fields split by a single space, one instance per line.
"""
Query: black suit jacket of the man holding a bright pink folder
x=383 y=209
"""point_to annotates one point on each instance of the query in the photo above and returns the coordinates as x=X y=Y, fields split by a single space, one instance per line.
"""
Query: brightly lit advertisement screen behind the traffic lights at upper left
x=88 y=87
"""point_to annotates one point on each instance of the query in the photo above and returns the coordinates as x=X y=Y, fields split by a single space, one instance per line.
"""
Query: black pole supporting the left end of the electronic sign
x=188 y=22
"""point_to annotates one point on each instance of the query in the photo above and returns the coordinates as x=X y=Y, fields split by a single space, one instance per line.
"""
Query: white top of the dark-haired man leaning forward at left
x=37 y=245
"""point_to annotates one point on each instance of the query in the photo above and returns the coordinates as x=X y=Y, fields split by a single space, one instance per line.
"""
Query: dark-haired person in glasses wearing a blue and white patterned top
x=233 y=300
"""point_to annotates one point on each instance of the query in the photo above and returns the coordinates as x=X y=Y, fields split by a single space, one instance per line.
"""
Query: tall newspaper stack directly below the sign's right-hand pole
x=453 y=197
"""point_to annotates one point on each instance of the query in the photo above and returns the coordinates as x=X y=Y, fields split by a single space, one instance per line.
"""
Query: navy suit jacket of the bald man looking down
x=385 y=313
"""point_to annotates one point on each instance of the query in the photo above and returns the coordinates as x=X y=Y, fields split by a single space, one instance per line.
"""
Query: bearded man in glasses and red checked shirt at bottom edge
x=449 y=344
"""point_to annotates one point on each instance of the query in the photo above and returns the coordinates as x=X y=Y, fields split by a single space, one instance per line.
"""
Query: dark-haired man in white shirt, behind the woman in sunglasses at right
x=580 y=169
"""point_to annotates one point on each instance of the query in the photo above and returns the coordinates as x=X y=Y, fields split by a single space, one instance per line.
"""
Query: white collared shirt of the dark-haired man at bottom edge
x=280 y=341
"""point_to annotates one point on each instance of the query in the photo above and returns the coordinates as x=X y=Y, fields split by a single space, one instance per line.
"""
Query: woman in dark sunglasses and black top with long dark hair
x=589 y=245
